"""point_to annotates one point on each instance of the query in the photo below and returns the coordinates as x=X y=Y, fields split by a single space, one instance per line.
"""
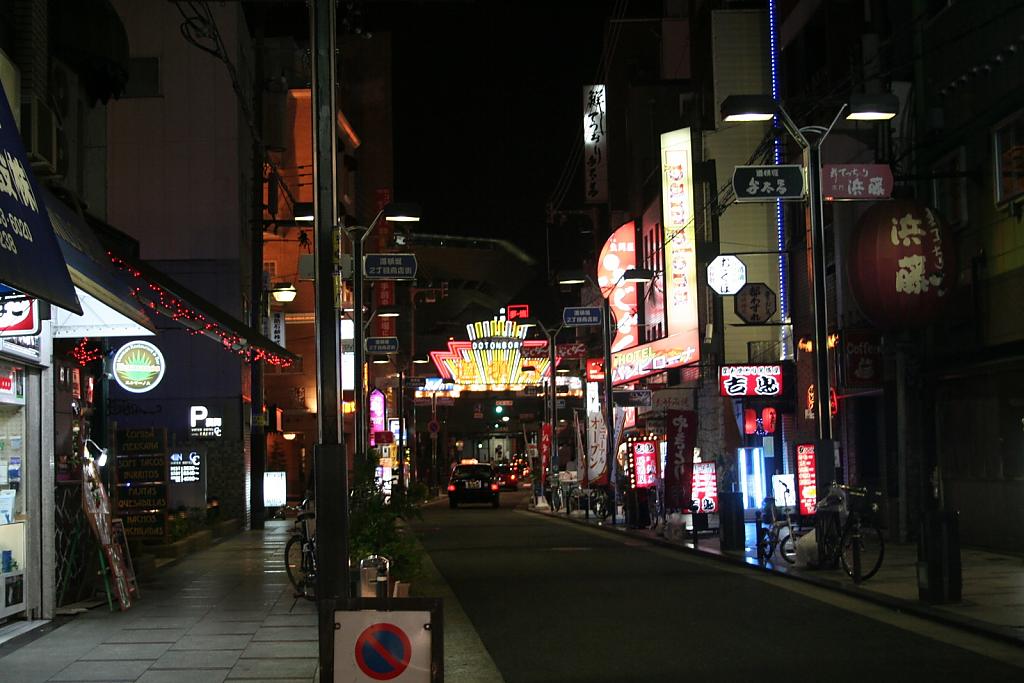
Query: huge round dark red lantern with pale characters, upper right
x=902 y=267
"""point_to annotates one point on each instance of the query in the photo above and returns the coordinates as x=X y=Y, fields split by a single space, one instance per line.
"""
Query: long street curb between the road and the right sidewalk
x=974 y=626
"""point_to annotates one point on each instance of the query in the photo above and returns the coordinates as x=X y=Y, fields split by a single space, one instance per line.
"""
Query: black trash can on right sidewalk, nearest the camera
x=940 y=578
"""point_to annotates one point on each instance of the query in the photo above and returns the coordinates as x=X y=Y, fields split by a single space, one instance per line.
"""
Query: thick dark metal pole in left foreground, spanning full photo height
x=331 y=462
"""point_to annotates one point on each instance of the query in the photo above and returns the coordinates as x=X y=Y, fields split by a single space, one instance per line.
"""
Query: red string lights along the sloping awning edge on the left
x=160 y=301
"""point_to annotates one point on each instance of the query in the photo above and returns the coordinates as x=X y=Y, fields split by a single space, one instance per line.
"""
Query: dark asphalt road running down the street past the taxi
x=557 y=602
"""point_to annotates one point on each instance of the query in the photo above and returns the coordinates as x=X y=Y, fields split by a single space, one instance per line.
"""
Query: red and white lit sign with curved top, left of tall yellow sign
x=618 y=257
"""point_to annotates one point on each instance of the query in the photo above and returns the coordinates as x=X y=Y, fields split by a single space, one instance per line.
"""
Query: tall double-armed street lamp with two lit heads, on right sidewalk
x=862 y=108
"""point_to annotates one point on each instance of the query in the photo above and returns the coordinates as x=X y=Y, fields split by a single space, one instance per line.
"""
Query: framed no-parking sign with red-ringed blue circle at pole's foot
x=398 y=639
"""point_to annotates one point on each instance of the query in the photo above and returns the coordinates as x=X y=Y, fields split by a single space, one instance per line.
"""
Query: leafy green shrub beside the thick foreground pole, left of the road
x=374 y=521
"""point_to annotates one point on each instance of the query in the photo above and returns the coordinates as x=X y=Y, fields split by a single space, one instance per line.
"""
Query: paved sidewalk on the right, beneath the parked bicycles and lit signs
x=993 y=584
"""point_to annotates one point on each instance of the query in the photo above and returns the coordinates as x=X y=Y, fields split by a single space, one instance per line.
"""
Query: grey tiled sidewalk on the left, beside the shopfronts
x=226 y=614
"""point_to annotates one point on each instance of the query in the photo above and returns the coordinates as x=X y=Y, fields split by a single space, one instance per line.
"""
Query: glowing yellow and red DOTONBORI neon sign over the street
x=493 y=359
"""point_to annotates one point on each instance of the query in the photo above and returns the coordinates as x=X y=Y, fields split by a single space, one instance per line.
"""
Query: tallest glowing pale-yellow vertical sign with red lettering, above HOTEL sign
x=680 y=247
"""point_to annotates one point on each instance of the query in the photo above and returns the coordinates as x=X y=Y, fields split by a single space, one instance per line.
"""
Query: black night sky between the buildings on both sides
x=487 y=110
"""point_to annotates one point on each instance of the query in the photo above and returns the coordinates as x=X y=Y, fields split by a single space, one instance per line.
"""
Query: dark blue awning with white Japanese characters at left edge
x=30 y=258
